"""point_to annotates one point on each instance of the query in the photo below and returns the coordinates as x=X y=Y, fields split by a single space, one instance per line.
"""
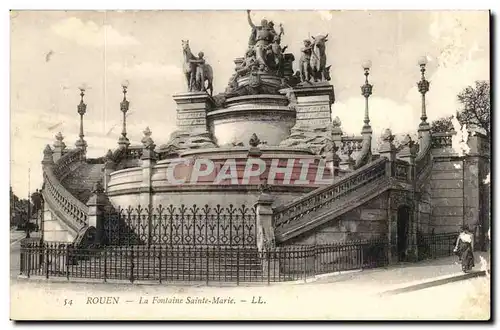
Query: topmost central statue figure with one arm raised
x=260 y=38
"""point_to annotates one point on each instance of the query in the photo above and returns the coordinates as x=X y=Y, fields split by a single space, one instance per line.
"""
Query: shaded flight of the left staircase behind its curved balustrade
x=81 y=181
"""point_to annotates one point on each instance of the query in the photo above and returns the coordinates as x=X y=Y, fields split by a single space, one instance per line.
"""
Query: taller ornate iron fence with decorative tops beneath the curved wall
x=190 y=226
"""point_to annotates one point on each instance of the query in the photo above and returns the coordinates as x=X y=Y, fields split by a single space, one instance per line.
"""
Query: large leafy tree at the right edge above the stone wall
x=475 y=106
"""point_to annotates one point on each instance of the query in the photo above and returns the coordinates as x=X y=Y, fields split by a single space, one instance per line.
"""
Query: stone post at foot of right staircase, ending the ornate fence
x=265 y=235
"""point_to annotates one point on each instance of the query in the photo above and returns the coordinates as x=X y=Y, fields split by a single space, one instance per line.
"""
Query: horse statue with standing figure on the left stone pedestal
x=193 y=68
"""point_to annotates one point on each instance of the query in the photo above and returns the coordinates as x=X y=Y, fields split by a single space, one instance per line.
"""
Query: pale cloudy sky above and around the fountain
x=54 y=52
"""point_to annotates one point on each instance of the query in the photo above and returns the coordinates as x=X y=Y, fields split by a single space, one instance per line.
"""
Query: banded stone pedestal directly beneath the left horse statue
x=192 y=111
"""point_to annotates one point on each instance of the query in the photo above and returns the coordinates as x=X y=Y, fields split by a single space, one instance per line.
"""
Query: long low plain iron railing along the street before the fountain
x=197 y=263
